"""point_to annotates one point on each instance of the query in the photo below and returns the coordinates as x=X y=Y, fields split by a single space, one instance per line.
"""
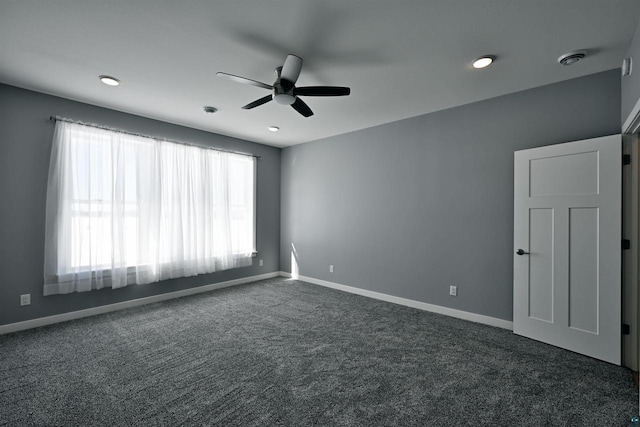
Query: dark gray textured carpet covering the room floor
x=288 y=353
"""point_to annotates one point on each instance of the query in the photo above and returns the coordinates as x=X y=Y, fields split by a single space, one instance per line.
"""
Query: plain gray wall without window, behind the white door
x=411 y=207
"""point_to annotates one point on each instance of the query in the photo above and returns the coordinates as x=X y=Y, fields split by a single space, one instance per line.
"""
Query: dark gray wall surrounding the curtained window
x=25 y=146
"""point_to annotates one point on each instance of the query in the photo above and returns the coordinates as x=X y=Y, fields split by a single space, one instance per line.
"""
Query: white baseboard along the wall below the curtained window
x=43 y=321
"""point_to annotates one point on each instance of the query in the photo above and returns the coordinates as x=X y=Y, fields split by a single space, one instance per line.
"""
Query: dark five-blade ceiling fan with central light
x=284 y=90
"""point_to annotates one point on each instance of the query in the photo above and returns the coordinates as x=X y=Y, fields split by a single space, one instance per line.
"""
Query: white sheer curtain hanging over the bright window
x=125 y=209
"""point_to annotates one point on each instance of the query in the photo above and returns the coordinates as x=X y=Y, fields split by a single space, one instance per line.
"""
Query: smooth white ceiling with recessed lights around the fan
x=401 y=58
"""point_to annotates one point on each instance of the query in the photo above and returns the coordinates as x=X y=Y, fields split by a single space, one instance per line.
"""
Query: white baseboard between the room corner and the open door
x=465 y=315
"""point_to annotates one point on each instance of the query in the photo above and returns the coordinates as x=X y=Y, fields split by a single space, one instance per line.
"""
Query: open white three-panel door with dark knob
x=567 y=244
